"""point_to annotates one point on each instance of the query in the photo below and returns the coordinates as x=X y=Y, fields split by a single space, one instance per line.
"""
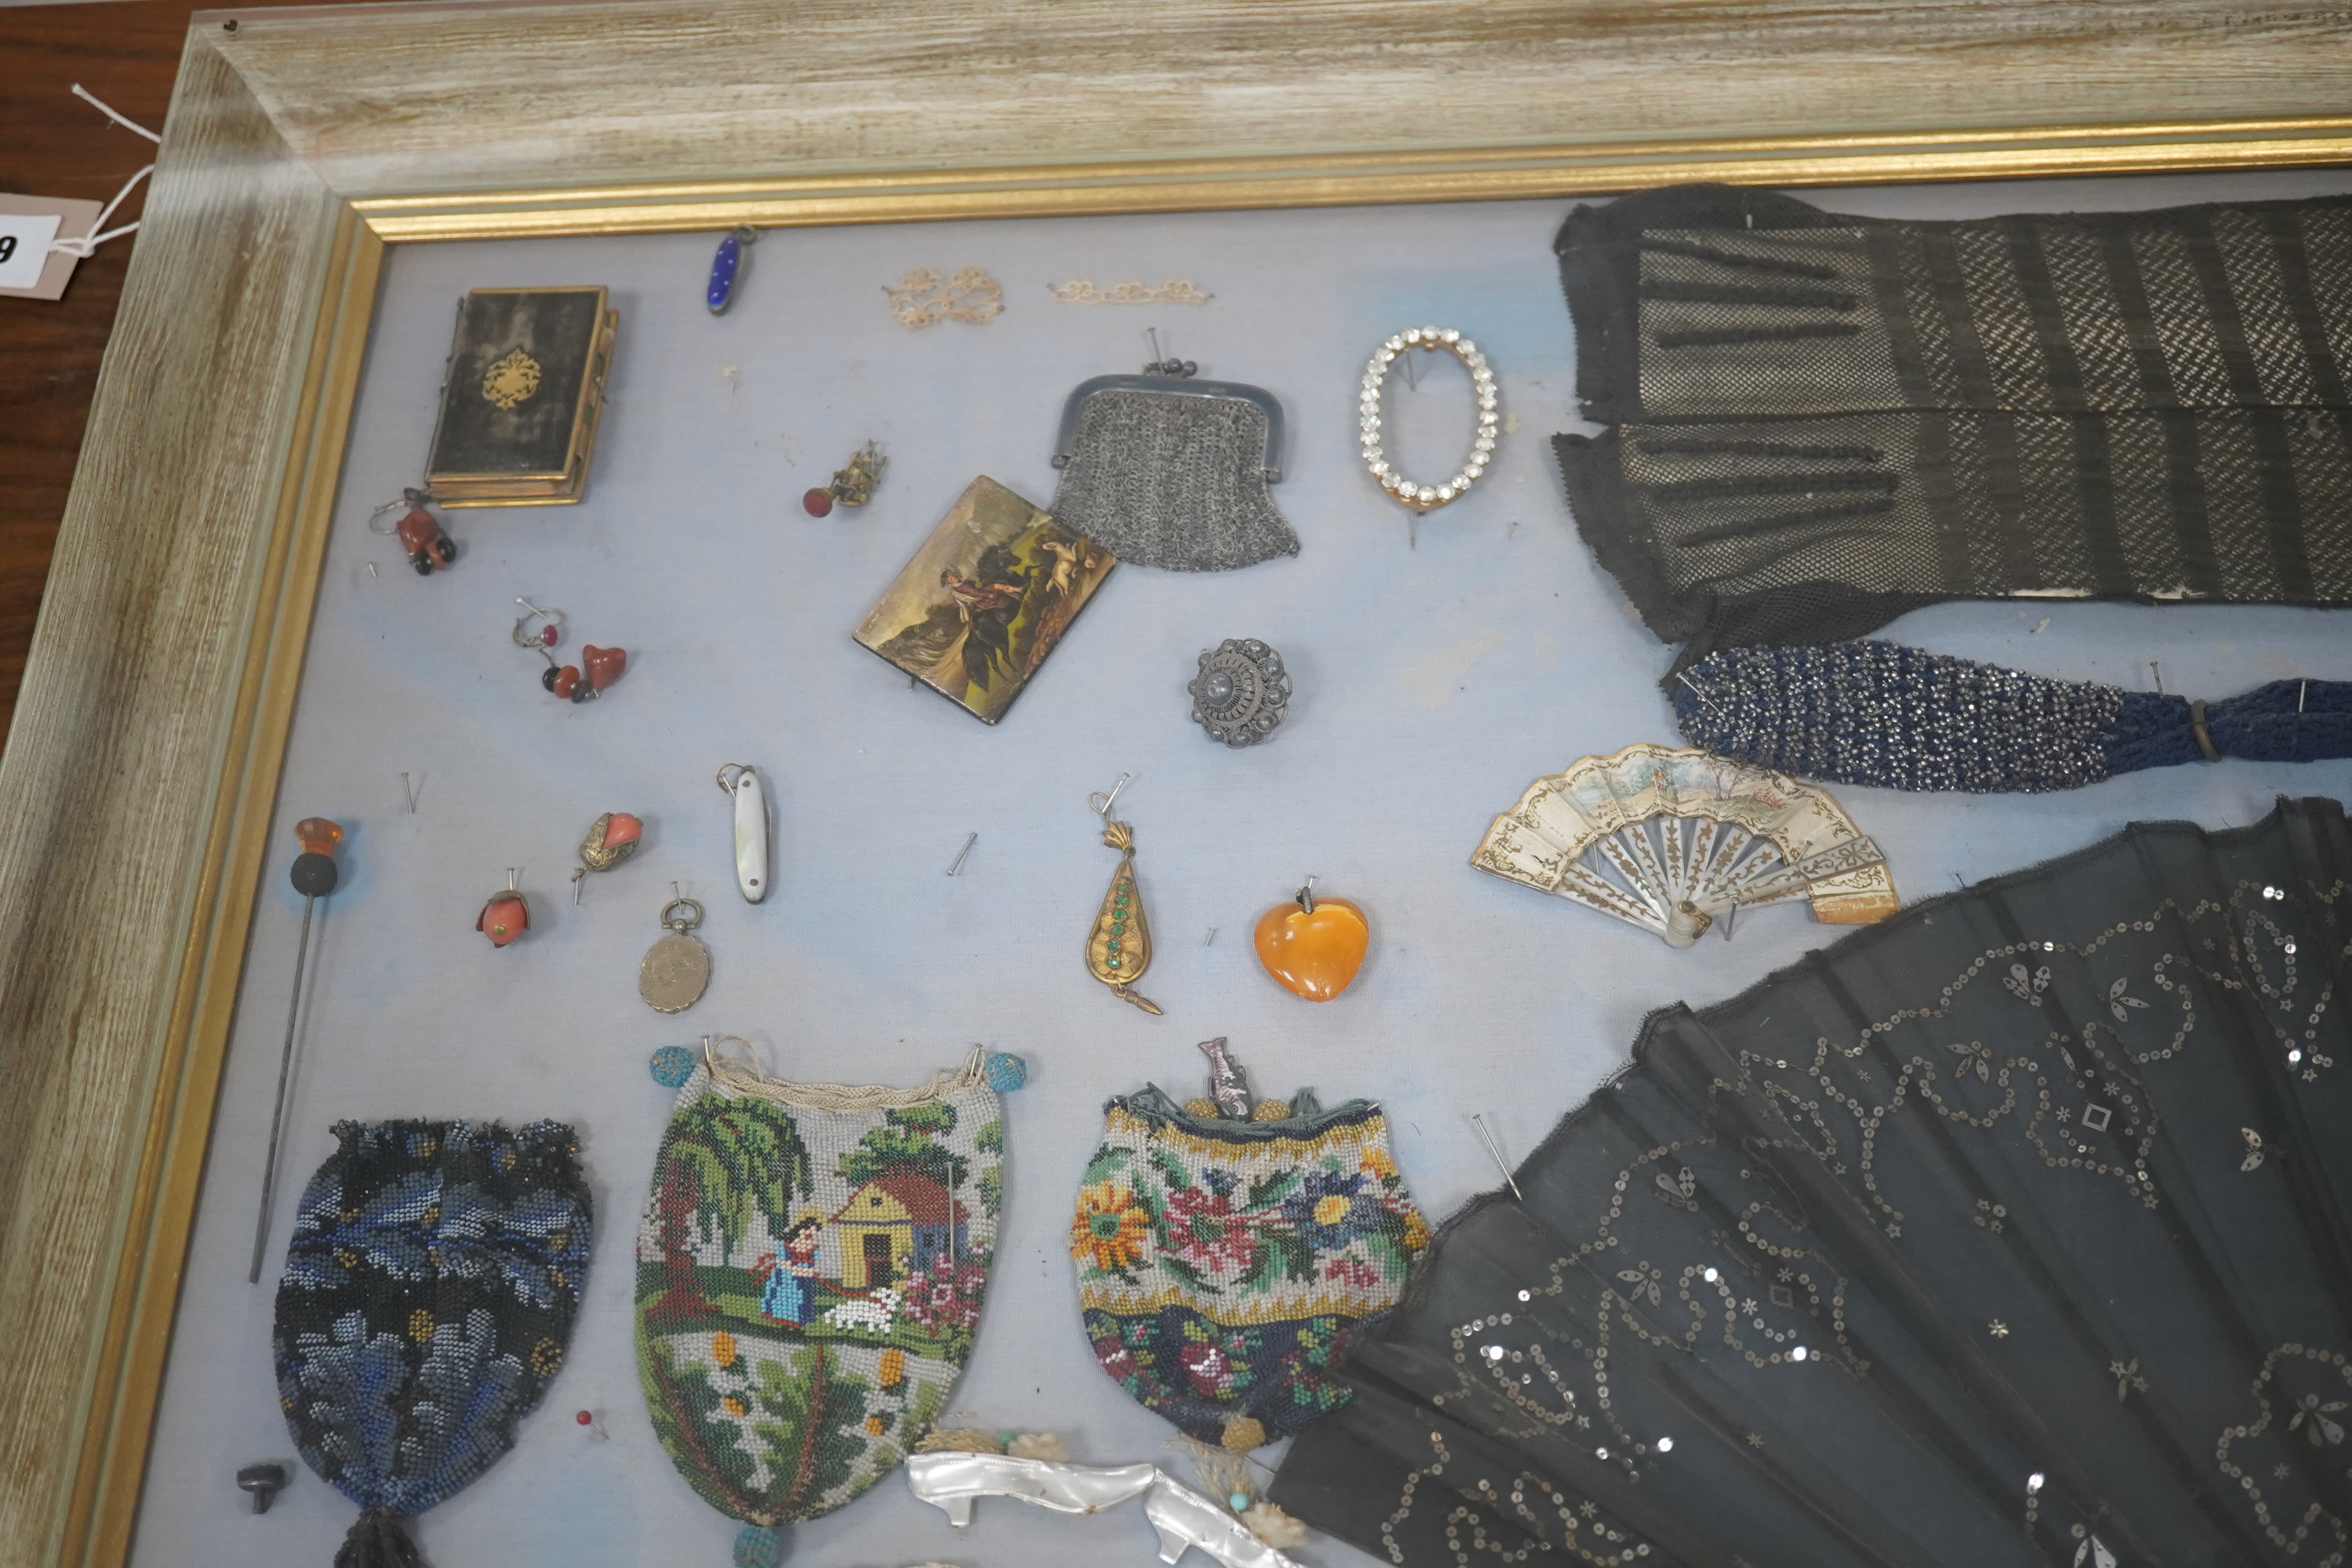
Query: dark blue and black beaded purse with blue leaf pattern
x=425 y=1308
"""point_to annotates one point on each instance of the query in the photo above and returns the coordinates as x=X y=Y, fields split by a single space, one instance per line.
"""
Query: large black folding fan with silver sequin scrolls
x=2005 y=1233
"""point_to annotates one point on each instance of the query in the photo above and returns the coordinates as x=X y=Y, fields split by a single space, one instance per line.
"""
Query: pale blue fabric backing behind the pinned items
x=1434 y=685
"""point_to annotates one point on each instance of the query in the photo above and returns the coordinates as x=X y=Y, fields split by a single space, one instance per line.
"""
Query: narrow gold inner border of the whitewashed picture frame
x=126 y=1376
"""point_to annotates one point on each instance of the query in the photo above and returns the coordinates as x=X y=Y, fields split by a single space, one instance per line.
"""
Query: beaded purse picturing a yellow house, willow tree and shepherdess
x=810 y=1278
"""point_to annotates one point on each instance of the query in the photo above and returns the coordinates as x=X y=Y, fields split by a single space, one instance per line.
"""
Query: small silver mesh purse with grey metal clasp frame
x=1172 y=474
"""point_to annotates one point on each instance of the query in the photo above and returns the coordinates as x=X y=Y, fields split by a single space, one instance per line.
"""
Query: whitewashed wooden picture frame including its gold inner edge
x=142 y=768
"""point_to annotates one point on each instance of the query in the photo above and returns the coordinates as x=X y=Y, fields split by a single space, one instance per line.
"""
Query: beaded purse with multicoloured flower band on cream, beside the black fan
x=1224 y=1264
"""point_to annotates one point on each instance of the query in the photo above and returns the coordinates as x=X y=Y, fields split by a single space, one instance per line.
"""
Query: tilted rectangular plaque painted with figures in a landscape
x=984 y=601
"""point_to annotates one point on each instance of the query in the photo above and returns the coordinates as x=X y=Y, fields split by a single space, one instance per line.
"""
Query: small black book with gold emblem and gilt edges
x=523 y=396
